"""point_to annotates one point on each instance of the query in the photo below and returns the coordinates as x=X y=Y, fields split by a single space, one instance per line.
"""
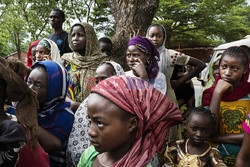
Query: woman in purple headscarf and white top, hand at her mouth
x=142 y=59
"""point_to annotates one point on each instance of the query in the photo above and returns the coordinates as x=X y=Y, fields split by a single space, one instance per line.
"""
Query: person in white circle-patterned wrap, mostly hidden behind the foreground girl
x=78 y=138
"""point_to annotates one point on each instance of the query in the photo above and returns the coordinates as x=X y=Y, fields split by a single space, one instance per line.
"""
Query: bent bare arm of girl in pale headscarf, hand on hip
x=198 y=67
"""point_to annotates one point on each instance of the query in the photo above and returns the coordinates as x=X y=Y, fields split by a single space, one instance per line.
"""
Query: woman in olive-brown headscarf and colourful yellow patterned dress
x=83 y=62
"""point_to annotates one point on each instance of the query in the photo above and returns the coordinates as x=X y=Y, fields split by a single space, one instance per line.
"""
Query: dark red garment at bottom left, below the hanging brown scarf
x=33 y=157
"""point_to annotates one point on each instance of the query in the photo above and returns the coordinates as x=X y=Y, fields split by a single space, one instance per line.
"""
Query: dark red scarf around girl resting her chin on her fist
x=242 y=89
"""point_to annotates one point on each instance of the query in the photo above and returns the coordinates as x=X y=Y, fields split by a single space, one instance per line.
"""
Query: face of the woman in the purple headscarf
x=133 y=54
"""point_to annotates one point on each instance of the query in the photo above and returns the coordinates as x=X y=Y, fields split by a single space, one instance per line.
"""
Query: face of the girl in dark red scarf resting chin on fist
x=232 y=69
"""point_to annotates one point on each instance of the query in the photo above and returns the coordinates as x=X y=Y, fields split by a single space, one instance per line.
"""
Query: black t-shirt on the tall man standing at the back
x=62 y=42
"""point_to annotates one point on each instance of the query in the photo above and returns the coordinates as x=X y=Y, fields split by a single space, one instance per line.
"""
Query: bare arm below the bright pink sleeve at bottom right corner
x=243 y=158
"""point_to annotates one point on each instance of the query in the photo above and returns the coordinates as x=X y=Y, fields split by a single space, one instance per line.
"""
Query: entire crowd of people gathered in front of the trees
x=71 y=105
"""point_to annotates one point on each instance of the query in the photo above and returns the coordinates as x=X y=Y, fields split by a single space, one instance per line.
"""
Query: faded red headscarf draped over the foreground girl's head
x=154 y=111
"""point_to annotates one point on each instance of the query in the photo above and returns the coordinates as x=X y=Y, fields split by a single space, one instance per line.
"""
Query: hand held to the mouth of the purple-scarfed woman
x=139 y=69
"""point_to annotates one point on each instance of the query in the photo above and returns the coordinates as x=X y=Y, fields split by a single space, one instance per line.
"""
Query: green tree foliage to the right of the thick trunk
x=196 y=23
